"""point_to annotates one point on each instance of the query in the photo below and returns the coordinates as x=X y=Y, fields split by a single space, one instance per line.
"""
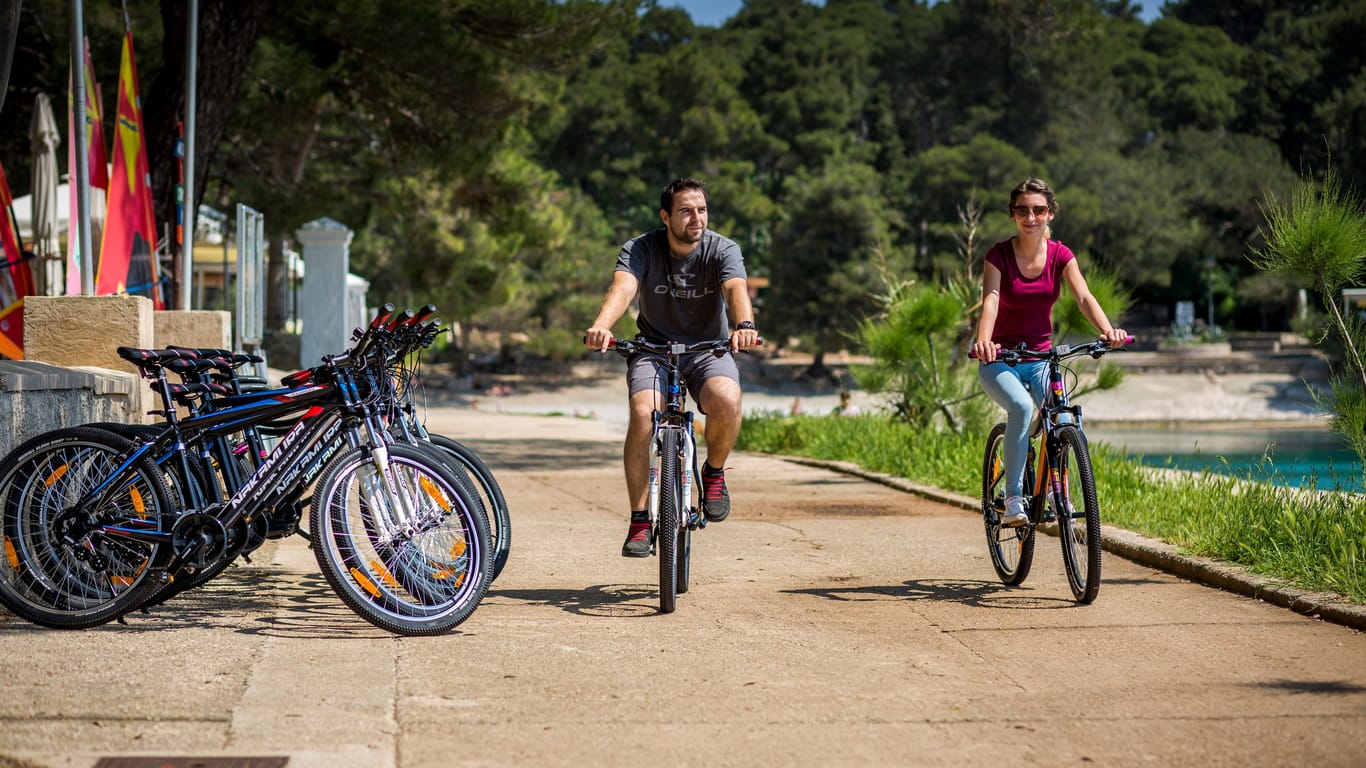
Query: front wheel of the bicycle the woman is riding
x=1080 y=532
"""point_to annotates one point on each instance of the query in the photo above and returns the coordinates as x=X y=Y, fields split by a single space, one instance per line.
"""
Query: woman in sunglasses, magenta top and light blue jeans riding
x=1021 y=284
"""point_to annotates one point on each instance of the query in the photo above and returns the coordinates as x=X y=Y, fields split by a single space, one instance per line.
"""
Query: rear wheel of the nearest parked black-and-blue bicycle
x=102 y=577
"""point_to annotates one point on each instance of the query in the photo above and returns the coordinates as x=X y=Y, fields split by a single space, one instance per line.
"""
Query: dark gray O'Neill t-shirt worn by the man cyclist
x=681 y=299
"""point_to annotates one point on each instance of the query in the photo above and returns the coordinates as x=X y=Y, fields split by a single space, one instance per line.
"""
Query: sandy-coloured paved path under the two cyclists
x=831 y=622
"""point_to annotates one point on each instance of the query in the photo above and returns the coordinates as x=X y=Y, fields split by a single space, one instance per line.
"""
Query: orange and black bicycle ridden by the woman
x=1059 y=483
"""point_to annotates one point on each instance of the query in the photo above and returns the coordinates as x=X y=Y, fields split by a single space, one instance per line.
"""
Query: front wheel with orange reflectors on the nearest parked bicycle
x=431 y=573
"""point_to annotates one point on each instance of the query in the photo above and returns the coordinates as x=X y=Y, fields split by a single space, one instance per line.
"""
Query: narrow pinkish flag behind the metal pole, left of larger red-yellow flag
x=99 y=170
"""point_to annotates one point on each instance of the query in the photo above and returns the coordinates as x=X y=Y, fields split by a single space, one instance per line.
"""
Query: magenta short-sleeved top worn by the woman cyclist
x=1027 y=307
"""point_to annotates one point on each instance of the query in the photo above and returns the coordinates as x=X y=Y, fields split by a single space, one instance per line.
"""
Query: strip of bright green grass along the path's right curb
x=1305 y=539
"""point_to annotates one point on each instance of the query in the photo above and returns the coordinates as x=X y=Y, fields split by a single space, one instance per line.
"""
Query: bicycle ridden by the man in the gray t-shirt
x=675 y=474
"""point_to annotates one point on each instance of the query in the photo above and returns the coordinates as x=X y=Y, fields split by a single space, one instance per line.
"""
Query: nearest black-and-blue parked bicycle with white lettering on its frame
x=92 y=530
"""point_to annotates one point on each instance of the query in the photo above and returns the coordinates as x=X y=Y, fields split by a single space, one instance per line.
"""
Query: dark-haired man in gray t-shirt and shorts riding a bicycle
x=691 y=286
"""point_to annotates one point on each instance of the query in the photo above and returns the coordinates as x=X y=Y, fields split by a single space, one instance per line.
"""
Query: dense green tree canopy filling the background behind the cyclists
x=492 y=155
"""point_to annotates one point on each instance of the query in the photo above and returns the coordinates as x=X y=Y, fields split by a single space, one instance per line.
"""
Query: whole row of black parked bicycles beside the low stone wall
x=409 y=528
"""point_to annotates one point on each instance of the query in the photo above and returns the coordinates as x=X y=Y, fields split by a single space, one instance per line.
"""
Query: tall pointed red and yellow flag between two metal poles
x=128 y=255
